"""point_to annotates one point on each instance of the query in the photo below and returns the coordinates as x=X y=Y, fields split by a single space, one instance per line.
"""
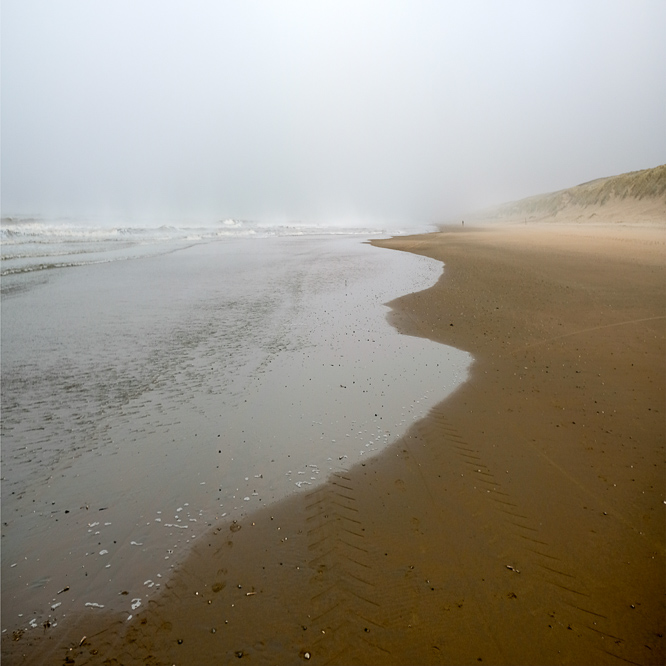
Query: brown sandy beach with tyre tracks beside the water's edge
x=521 y=522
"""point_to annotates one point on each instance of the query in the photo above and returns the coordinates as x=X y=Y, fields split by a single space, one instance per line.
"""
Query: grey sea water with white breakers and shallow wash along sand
x=158 y=382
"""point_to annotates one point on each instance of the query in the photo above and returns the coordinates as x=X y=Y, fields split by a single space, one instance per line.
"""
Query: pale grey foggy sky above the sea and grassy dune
x=322 y=110
